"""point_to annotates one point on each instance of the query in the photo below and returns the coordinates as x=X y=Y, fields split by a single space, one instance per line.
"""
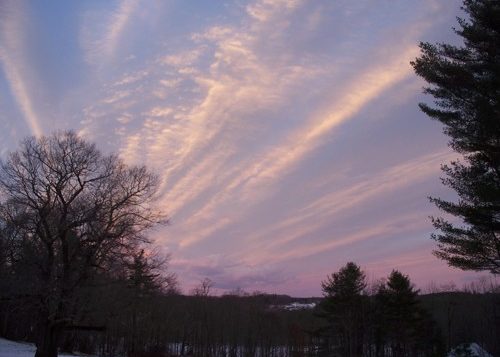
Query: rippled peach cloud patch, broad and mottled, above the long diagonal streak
x=235 y=84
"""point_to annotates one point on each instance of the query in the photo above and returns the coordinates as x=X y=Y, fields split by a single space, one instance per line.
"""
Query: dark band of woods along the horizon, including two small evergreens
x=138 y=316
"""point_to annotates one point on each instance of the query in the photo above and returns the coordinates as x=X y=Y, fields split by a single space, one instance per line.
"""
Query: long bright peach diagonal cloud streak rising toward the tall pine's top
x=252 y=177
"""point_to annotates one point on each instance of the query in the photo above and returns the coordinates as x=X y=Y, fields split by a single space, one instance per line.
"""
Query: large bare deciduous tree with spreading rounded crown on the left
x=73 y=214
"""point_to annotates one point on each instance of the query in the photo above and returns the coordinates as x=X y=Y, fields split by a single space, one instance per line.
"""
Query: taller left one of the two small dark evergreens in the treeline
x=342 y=308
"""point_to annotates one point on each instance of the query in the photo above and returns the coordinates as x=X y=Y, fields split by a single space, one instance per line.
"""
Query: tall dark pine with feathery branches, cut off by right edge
x=465 y=82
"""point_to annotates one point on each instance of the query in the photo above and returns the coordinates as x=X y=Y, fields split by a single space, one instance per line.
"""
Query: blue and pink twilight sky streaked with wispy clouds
x=286 y=133
